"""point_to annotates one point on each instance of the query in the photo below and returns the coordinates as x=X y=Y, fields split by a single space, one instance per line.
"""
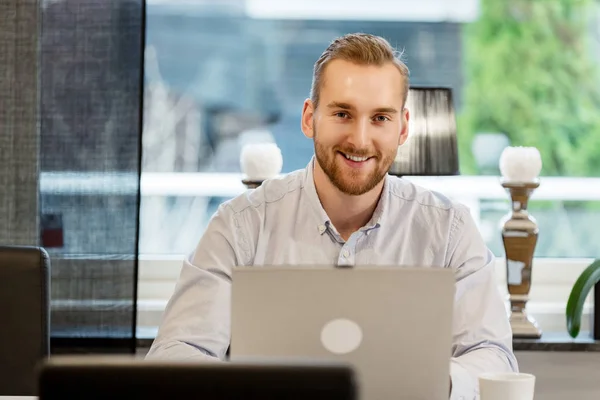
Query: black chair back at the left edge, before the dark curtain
x=24 y=317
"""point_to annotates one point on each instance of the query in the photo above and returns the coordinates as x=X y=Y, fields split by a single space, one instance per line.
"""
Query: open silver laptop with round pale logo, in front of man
x=394 y=325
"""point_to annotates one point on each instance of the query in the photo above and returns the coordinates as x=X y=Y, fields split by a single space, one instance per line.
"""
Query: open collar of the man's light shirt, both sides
x=323 y=219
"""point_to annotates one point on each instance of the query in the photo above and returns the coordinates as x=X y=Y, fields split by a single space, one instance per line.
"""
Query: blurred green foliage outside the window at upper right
x=532 y=73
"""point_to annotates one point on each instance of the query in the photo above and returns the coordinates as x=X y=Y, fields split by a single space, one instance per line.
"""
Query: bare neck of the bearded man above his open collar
x=347 y=213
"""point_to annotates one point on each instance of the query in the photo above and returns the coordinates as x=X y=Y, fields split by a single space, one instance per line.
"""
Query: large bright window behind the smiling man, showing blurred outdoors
x=221 y=74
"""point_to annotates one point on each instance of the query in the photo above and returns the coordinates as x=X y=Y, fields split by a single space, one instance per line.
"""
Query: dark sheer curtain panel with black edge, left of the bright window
x=90 y=85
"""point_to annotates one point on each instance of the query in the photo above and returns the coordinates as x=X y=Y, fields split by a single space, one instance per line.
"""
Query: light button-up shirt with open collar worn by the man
x=282 y=222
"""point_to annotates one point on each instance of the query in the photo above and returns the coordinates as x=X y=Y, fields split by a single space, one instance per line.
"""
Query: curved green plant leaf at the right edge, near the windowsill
x=586 y=281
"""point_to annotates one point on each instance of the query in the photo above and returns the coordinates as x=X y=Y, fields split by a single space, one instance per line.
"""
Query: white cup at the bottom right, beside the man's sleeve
x=506 y=386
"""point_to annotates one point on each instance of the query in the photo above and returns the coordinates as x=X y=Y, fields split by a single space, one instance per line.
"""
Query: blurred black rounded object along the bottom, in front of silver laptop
x=108 y=377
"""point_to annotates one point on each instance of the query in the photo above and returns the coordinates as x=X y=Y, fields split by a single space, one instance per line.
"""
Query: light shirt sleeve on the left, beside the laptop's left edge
x=196 y=320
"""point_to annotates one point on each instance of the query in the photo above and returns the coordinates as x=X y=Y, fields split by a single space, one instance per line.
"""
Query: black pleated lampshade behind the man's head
x=431 y=148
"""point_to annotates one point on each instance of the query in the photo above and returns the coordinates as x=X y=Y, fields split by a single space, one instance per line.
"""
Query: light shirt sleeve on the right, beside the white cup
x=482 y=336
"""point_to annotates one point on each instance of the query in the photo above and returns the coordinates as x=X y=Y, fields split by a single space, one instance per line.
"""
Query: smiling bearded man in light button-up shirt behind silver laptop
x=344 y=209
